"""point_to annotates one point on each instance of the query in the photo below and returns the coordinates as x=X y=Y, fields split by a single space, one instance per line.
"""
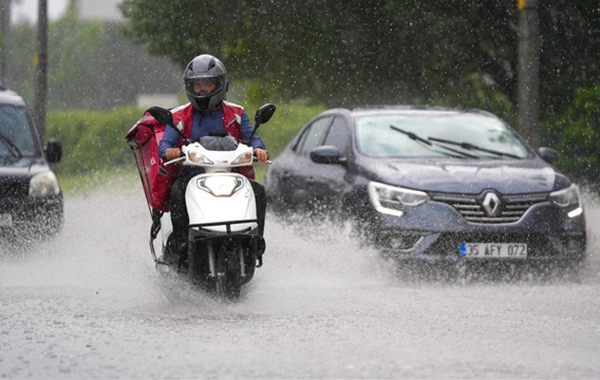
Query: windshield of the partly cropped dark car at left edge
x=16 y=138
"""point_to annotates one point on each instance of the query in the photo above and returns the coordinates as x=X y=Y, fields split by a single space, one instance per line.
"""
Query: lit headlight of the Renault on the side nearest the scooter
x=393 y=200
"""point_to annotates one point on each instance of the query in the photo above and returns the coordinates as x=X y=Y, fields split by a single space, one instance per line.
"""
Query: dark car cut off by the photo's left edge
x=31 y=202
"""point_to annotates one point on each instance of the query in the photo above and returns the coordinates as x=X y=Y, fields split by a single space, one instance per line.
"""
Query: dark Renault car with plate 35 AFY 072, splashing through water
x=432 y=183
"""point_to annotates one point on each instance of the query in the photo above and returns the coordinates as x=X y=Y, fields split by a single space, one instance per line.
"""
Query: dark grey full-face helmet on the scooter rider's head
x=208 y=70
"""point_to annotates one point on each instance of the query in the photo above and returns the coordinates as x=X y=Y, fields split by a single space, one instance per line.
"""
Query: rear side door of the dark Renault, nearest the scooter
x=296 y=175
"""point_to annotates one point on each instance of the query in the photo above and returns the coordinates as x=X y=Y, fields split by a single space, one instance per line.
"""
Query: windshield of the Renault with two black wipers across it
x=377 y=137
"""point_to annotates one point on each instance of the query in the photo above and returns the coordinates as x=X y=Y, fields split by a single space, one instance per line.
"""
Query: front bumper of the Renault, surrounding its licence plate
x=436 y=232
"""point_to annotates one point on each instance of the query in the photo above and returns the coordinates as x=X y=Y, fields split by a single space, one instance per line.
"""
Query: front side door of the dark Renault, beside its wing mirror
x=326 y=182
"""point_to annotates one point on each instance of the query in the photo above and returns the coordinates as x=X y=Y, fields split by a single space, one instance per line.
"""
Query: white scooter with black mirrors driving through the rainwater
x=224 y=245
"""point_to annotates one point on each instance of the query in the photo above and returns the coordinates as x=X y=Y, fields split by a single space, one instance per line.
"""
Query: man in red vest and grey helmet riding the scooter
x=208 y=113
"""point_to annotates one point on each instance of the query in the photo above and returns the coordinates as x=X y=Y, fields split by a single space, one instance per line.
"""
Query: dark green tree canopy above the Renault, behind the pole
x=369 y=51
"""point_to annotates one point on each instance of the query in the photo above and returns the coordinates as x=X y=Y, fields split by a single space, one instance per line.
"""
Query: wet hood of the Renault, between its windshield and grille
x=462 y=176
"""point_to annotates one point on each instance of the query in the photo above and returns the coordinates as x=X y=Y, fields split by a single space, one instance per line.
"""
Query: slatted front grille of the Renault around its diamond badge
x=471 y=209
